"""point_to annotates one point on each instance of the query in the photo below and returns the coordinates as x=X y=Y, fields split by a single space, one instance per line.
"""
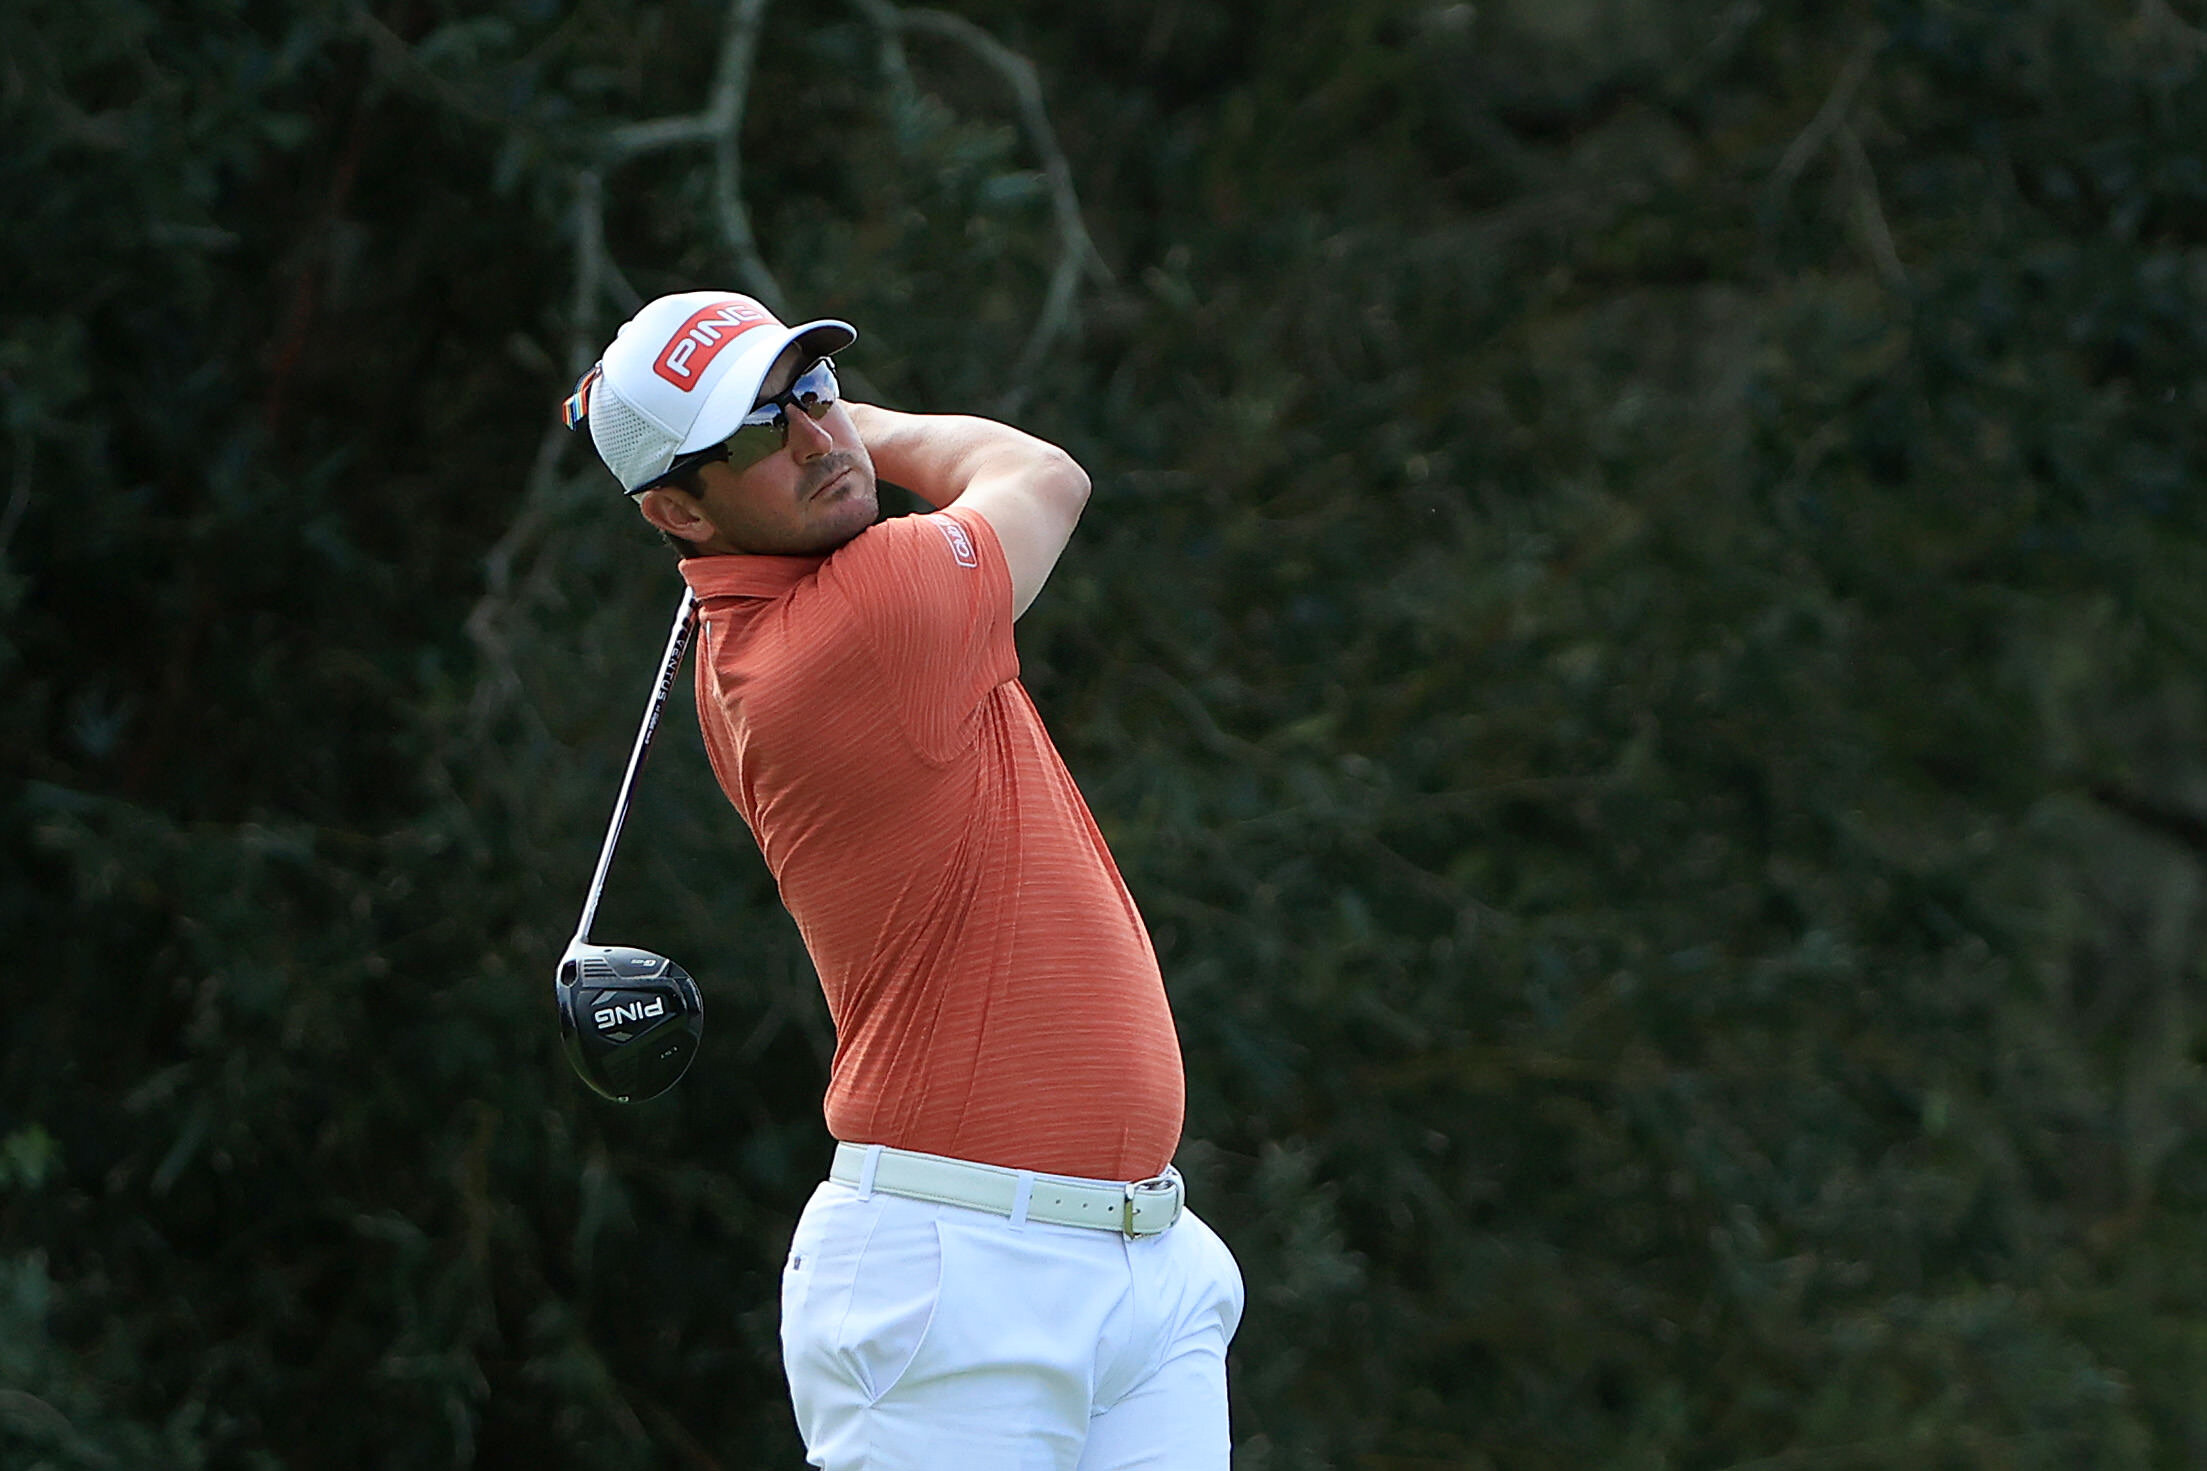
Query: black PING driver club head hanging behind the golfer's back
x=628 y=1018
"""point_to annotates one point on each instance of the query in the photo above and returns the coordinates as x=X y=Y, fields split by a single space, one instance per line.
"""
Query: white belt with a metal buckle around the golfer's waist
x=1136 y=1207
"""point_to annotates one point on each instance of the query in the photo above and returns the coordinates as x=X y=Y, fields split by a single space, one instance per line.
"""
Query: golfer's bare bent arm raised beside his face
x=1027 y=491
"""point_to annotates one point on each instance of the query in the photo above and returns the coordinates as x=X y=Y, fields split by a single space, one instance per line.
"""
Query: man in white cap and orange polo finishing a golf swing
x=999 y=1269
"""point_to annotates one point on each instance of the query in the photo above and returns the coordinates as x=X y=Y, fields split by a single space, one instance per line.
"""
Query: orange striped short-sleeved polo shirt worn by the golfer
x=992 y=985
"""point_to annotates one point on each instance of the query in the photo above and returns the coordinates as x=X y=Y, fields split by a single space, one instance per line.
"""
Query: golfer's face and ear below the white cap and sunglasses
x=807 y=500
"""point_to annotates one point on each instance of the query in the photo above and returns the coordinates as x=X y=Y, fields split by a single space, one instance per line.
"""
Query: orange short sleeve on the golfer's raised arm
x=932 y=601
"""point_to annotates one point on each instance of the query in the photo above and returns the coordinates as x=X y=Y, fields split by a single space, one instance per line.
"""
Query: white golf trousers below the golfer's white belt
x=926 y=1338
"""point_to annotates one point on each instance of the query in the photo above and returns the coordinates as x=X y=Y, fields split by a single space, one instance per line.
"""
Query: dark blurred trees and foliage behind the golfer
x=1639 y=641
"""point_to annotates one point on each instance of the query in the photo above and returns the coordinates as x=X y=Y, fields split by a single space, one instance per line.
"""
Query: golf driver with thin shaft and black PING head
x=628 y=1018
